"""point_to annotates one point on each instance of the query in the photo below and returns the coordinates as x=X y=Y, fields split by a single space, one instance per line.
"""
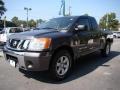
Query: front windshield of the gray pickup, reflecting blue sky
x=62 y=23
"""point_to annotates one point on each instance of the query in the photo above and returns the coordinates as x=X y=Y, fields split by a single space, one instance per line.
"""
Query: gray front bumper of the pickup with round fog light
x=39 y=61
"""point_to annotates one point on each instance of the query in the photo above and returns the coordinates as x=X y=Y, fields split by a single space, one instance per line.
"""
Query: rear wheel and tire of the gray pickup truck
x=106 y=51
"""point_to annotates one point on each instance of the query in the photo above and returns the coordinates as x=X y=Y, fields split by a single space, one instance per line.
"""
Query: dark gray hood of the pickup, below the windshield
x=36 y=33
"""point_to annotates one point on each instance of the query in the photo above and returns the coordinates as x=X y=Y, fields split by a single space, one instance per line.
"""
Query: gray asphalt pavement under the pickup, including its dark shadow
x=91 y=72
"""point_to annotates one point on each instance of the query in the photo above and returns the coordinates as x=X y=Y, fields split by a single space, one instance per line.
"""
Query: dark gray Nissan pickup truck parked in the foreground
x=56 y=45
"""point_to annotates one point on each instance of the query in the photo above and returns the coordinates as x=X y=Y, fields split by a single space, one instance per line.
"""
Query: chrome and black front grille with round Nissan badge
x=17 y=44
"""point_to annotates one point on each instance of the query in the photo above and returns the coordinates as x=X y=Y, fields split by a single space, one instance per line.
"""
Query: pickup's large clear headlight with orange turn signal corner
x=39 y=44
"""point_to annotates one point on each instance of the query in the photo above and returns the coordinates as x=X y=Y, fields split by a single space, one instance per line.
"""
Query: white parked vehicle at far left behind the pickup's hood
x=6 y=32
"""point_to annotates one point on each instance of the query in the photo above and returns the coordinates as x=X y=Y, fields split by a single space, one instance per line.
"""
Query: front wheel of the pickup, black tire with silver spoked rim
x=56 y=60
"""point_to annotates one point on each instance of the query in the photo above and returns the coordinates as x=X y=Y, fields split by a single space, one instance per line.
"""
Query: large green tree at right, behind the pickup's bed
x=109 y=21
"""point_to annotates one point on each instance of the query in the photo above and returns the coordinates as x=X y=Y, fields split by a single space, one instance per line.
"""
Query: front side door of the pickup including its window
x=84 y=36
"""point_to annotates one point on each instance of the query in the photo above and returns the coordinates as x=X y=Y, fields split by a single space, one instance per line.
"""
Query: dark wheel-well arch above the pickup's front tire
x=69 y=49
